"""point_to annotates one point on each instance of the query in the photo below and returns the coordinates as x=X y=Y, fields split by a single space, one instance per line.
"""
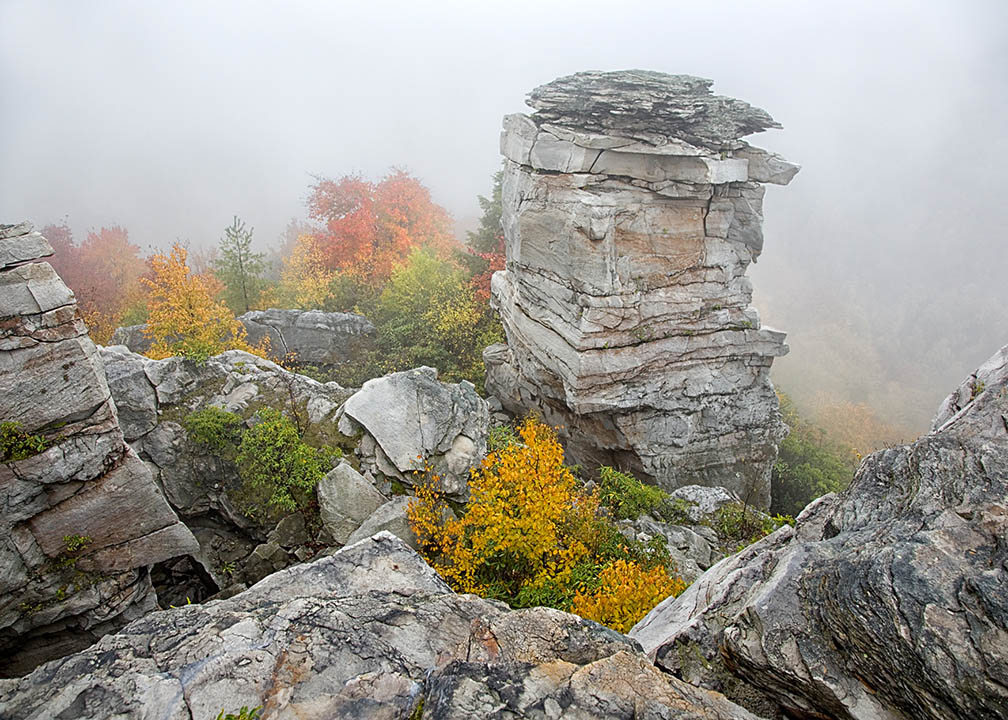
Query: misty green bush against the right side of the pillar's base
x=809 y=464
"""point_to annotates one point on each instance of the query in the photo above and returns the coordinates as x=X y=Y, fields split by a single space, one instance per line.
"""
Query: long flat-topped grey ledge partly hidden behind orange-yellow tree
x=307 y=337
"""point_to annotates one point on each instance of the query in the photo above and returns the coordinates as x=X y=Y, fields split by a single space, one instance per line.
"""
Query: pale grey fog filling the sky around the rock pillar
x=886 y=259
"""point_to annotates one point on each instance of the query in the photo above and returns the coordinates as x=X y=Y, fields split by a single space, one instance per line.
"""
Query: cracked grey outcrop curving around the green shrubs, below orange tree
x=237 y=547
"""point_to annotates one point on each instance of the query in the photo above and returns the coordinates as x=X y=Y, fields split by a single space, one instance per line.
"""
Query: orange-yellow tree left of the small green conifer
x=184 y=317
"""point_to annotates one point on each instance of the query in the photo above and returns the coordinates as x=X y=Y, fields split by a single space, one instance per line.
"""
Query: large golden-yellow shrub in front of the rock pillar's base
x=525 y=521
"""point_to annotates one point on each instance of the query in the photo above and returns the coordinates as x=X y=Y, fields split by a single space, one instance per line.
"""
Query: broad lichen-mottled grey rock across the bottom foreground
x=369 y=633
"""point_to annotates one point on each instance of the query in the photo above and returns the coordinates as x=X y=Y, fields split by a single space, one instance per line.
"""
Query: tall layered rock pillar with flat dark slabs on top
x=632 y=213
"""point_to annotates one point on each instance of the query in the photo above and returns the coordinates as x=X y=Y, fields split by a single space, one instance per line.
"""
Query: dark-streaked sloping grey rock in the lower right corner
x=888 y=602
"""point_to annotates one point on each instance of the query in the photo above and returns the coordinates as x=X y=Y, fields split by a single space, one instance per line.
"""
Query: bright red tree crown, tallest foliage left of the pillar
x=371 y=228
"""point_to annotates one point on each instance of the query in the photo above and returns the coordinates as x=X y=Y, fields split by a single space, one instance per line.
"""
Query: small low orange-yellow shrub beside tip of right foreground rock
x=625 y=594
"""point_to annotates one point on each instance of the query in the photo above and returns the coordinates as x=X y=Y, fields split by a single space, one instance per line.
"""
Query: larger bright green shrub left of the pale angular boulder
x=274 y=458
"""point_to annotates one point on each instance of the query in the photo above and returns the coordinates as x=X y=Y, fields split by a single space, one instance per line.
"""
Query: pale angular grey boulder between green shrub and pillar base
x=410 y=420
